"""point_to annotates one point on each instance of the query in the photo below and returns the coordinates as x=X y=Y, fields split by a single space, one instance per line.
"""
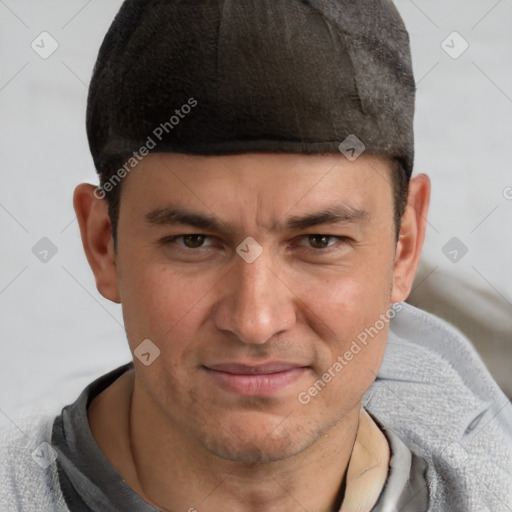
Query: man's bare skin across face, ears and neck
x=303 y=300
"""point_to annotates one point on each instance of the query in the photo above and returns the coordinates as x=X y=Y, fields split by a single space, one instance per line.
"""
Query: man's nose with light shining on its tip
x=256 y=304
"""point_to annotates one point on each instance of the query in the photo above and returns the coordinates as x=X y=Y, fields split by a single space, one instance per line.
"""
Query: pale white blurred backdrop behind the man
x=57 y=333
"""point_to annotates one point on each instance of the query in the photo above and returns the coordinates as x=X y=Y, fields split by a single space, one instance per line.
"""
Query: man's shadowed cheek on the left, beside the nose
x=167 y=308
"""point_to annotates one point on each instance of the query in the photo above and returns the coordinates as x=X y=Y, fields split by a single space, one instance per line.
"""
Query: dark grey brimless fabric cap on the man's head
x=218 y=77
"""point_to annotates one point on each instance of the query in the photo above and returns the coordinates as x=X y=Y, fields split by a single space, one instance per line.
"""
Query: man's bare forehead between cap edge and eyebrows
x=259 y=182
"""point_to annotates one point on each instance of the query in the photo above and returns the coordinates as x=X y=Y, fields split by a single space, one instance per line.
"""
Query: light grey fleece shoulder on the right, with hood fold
x=434 y=391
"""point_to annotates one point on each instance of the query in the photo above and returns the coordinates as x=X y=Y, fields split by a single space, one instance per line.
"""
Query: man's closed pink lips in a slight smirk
x=255 y=380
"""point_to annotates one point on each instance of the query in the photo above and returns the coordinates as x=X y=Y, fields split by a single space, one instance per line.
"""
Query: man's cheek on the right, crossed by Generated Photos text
x=351 y=312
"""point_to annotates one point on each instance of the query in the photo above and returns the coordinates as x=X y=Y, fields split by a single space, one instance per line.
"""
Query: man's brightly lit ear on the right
x=412 y=236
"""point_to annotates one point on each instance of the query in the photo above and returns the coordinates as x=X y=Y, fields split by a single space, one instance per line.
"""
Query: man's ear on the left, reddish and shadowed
x=96 y=232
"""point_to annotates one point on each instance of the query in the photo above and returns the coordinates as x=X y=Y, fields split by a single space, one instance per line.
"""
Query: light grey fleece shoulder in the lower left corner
x=28 y=474
